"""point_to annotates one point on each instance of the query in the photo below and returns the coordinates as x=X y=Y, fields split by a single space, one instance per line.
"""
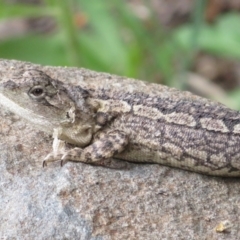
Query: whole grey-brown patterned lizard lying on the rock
x=120 y=120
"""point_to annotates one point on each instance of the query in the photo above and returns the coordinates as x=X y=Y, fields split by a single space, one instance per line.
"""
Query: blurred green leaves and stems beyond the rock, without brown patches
x=107 y=36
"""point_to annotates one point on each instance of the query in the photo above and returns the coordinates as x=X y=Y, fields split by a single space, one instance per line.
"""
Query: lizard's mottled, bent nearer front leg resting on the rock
x=101 y=151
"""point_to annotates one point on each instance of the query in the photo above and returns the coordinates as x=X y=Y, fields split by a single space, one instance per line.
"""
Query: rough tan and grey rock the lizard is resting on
x=78 y=201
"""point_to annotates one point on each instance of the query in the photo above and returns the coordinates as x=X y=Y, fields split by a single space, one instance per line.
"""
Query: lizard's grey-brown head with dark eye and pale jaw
x=49 y=105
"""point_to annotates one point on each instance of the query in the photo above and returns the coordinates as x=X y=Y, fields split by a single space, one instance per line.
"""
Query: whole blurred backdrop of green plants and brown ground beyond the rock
x=129 y=38
